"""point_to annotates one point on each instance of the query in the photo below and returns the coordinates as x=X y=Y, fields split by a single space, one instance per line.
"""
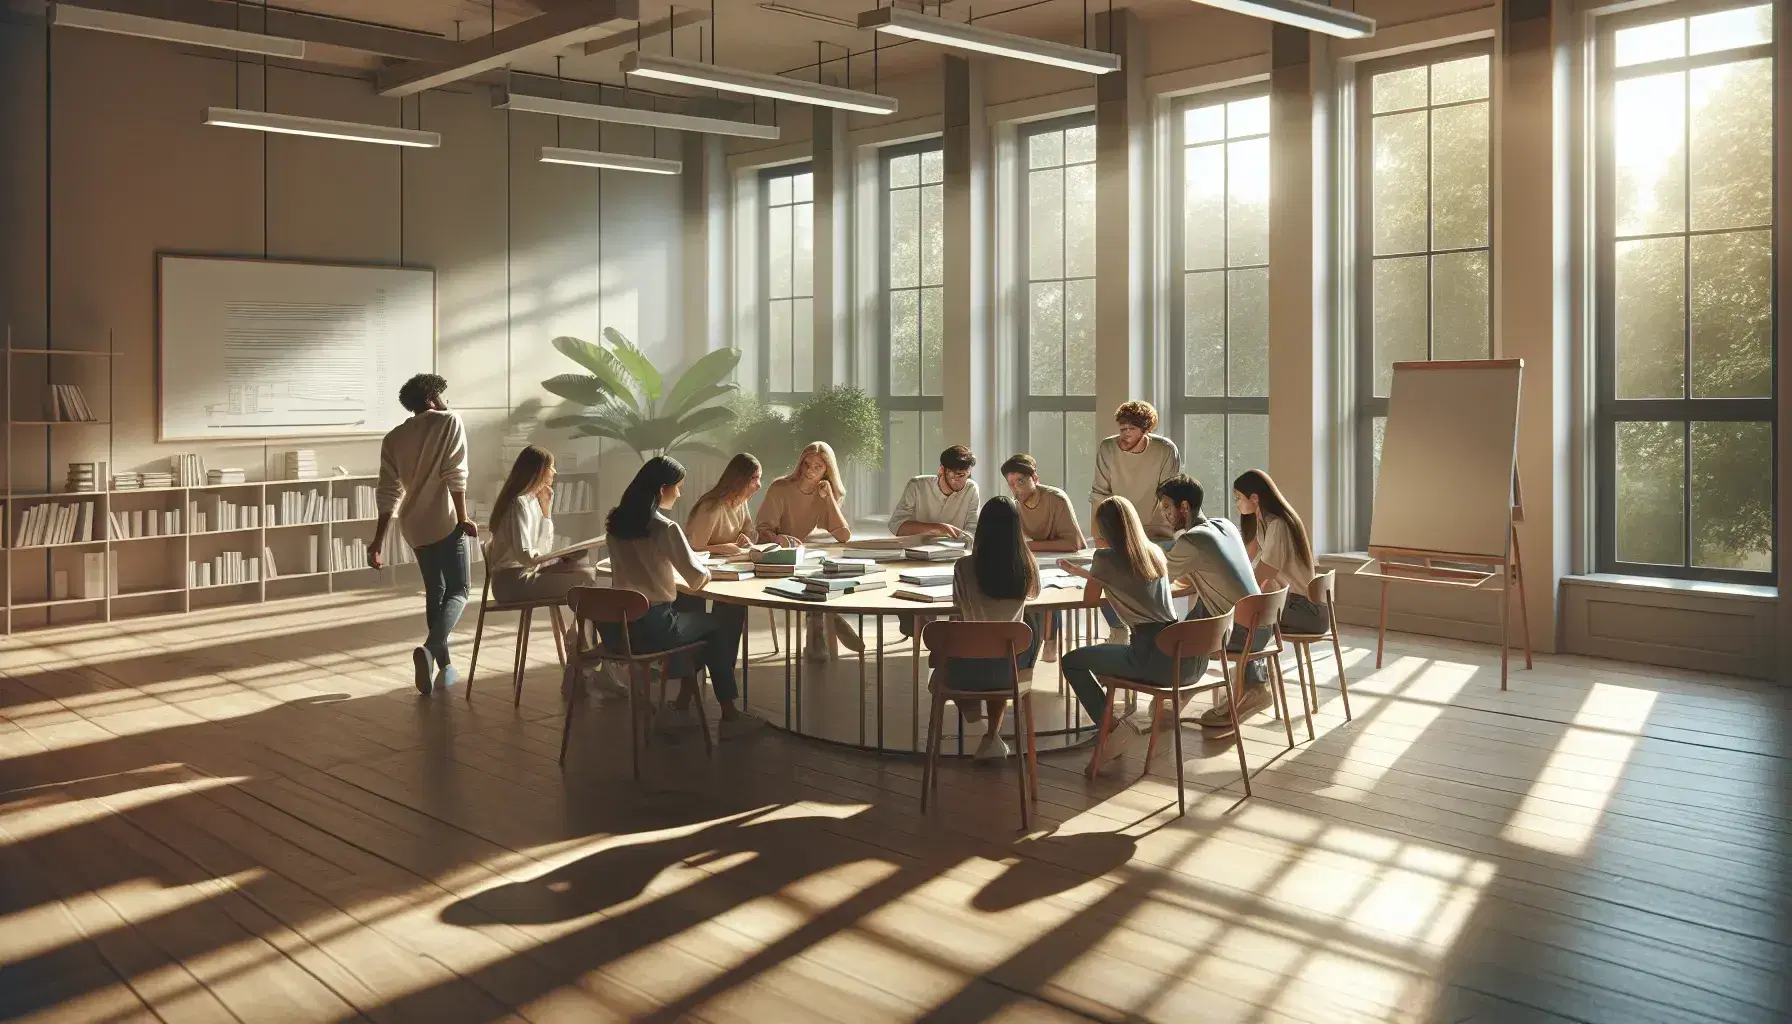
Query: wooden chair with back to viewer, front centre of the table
x=983 y=641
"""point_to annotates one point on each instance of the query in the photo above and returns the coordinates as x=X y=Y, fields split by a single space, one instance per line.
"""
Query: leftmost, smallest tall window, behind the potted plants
x=788 y=284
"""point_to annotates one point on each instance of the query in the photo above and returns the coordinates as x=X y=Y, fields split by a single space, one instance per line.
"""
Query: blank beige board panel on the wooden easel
x=1449 y=456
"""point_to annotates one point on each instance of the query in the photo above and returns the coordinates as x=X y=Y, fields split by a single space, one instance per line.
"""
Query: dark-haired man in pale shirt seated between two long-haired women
x=1210 y=555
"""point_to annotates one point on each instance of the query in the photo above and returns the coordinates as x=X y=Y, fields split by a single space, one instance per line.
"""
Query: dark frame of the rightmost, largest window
x=1608 y=410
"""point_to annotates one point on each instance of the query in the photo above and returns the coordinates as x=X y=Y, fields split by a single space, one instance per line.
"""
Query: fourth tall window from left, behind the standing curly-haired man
x=1221 y=365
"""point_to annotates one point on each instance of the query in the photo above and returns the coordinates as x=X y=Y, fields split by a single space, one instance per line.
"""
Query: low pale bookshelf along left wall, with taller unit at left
x=148 y=573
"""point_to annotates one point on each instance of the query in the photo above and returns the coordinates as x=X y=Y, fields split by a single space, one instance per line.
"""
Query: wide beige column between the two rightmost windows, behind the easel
x=1531 y=290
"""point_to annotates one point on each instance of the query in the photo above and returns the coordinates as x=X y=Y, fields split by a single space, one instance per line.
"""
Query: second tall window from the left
x=915 y=250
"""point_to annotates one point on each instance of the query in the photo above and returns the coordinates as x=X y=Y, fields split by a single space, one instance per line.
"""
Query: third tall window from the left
x=1058 y=352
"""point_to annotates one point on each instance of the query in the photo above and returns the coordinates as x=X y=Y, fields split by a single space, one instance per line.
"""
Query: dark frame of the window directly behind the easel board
x=1366 y=404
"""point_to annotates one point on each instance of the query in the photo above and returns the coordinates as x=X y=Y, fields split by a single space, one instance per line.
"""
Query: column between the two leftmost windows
x=834 y=220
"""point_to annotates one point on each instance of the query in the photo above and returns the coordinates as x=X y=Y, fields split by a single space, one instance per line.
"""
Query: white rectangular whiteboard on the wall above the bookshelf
x=264 y=349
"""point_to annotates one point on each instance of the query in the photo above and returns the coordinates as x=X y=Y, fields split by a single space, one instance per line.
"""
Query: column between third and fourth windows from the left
x=1123 y=221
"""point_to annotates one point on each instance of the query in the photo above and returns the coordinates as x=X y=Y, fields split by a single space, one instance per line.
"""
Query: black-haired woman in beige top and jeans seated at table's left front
x=650 y=555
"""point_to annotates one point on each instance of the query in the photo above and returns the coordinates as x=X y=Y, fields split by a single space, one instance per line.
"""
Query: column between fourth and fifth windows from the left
x=1302 y=340
